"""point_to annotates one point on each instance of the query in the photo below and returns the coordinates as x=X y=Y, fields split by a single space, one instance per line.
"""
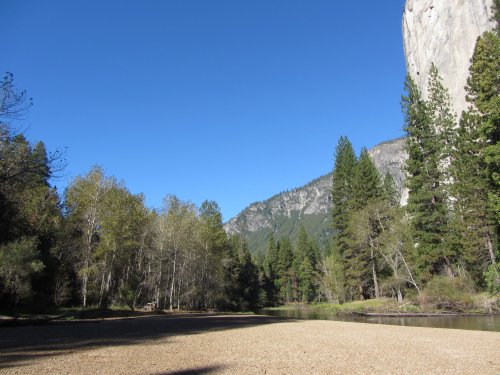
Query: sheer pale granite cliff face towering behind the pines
x=444 y=32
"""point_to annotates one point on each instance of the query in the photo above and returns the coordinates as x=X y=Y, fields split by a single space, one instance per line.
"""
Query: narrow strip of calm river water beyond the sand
x=479 y=323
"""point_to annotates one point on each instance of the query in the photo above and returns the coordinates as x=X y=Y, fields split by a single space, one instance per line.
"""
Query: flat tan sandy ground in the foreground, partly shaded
x=240 y=344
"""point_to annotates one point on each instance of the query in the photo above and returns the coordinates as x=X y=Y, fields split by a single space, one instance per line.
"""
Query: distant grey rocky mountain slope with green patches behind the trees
x=308 y=205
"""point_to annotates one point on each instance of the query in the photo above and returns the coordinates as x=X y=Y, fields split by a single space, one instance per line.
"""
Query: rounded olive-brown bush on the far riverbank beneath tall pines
x=448 y=293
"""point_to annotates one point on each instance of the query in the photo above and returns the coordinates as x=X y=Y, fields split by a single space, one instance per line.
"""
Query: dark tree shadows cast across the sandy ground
x=23 y=344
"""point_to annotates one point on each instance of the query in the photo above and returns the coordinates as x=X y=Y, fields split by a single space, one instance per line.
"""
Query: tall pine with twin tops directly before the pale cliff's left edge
x=426 y=181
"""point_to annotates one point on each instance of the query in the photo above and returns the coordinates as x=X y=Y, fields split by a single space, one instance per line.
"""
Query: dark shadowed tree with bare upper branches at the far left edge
x=30 y=216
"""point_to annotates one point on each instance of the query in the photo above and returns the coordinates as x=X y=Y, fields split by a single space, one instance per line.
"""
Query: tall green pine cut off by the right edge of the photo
x=476 y=161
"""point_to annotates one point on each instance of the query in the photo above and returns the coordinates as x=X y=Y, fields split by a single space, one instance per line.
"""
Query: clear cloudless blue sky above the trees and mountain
x=232 y=101
